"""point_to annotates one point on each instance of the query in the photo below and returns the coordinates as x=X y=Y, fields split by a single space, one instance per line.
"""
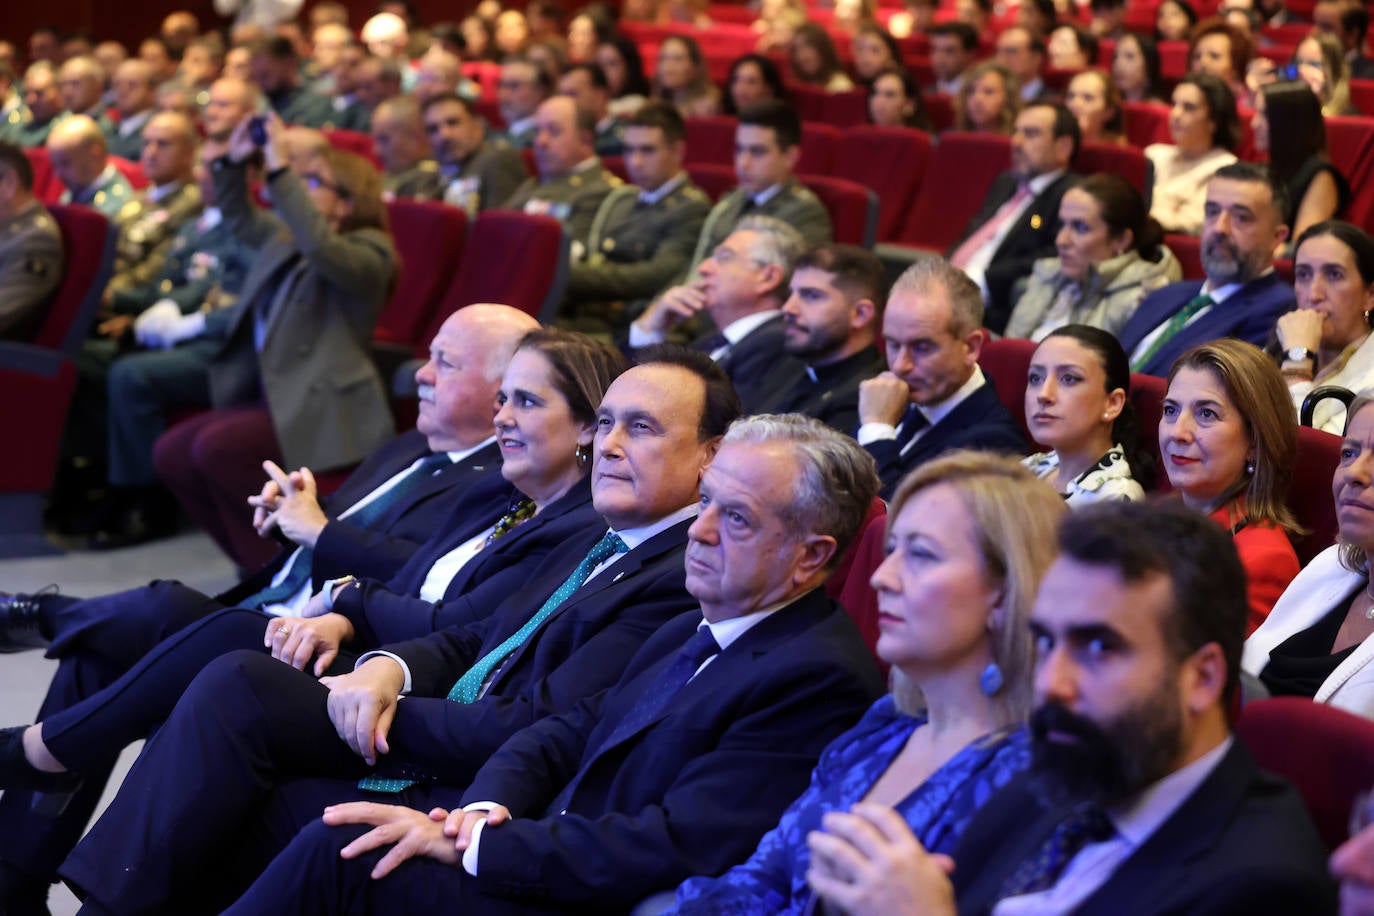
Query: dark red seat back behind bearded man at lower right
x=1325 y=752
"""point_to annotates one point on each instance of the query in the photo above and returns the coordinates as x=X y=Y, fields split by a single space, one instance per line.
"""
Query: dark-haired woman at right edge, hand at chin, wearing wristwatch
x=1325 y=340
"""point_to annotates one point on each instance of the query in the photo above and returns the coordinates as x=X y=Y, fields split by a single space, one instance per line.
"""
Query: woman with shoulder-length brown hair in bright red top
x=1229 y=437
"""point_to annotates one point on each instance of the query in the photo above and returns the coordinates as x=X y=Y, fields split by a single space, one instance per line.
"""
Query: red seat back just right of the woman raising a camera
x=429 y=240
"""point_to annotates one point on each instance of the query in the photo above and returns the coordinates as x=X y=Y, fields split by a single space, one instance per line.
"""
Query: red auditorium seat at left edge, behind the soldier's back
x=38 y=380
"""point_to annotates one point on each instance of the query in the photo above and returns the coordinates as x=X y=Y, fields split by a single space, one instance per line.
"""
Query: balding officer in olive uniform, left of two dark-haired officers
x=572 y=182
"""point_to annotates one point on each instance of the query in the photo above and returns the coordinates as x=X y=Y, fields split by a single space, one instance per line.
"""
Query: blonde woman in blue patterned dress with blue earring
x=969 y=538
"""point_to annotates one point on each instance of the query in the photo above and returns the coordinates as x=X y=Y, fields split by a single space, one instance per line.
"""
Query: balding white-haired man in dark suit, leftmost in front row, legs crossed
x=100 y=639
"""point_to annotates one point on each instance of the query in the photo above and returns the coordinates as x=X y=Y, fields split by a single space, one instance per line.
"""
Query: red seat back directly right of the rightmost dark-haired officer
x=892 y=163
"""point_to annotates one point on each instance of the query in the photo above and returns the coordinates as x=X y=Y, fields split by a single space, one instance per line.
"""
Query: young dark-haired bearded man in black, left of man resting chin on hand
x=831 y=323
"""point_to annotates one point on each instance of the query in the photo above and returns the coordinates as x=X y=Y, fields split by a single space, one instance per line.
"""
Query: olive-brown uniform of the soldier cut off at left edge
x=31 y=268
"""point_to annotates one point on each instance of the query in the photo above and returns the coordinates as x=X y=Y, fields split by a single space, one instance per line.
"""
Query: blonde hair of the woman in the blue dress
x=1016 y=516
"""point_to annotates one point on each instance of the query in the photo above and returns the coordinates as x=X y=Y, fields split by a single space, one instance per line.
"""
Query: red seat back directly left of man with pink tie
x=962 y=168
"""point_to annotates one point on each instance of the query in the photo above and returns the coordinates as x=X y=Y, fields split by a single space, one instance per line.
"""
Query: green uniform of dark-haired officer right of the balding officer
x=638 y=244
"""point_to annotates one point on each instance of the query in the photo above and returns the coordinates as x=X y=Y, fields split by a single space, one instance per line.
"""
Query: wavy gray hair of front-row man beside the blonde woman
x=839 y=479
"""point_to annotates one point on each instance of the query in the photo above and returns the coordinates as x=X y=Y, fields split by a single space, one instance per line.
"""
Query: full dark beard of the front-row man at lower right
x=1075 y=760
